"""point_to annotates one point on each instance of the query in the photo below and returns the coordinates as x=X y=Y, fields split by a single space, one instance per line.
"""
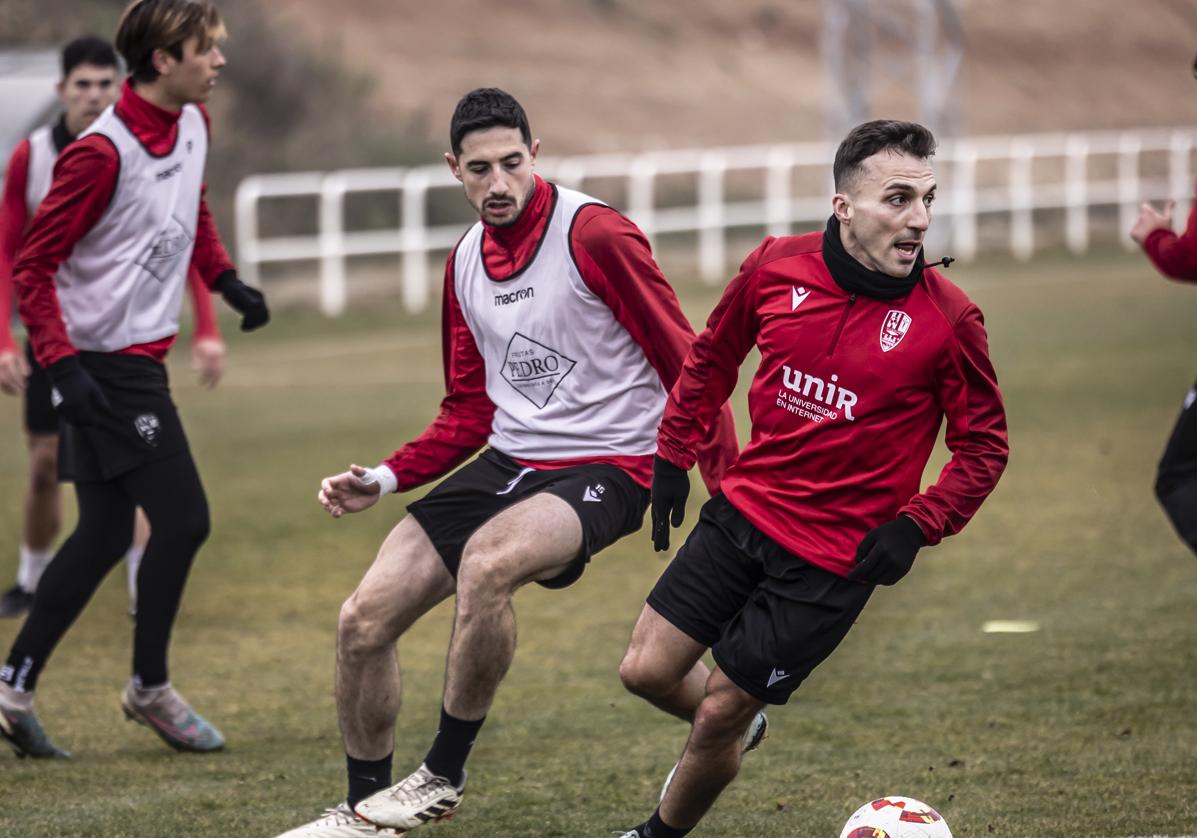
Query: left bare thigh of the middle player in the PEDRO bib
x=406 y=580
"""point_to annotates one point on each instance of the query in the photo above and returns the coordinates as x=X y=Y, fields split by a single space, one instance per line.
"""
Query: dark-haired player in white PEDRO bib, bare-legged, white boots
x=562 y=339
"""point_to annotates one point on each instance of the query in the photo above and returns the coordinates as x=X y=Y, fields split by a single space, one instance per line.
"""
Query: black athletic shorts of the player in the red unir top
x=769 y=617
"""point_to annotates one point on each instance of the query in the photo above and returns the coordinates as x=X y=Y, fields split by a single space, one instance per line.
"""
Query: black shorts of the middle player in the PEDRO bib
x=607 y=501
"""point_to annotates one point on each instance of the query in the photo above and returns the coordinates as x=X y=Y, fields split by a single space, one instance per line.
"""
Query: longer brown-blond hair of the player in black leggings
x=148 y=26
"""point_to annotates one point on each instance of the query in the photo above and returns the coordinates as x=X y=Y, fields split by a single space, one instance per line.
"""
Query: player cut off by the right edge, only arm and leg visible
x=1176 y=258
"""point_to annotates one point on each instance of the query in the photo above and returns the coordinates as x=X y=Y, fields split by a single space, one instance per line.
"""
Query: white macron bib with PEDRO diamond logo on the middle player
x=567 y=379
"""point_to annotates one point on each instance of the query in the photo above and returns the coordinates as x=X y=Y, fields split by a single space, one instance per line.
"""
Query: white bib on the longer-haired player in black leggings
x=124 y=283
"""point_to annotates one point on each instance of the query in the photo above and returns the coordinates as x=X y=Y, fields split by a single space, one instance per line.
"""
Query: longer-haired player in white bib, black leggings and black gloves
x=100 y=282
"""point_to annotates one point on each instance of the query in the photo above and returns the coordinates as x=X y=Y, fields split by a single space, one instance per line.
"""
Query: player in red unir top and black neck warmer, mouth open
x=865 y=354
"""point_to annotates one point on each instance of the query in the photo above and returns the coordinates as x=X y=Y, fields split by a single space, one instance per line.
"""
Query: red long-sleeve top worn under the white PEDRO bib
x=617 y=265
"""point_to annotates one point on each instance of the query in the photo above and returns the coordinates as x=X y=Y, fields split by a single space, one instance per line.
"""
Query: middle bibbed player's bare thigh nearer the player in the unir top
x=531 y=541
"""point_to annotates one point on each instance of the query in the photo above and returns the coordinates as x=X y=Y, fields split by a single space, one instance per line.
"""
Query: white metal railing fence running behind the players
x=994 y=177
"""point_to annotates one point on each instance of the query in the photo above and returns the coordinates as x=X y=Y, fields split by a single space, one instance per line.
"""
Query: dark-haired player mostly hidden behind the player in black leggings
x=89 y=86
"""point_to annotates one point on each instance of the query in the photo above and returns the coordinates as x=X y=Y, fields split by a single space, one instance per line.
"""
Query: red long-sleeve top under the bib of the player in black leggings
x=84 y=180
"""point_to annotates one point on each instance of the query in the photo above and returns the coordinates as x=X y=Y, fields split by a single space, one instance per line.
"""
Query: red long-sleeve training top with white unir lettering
x=846 y=405
